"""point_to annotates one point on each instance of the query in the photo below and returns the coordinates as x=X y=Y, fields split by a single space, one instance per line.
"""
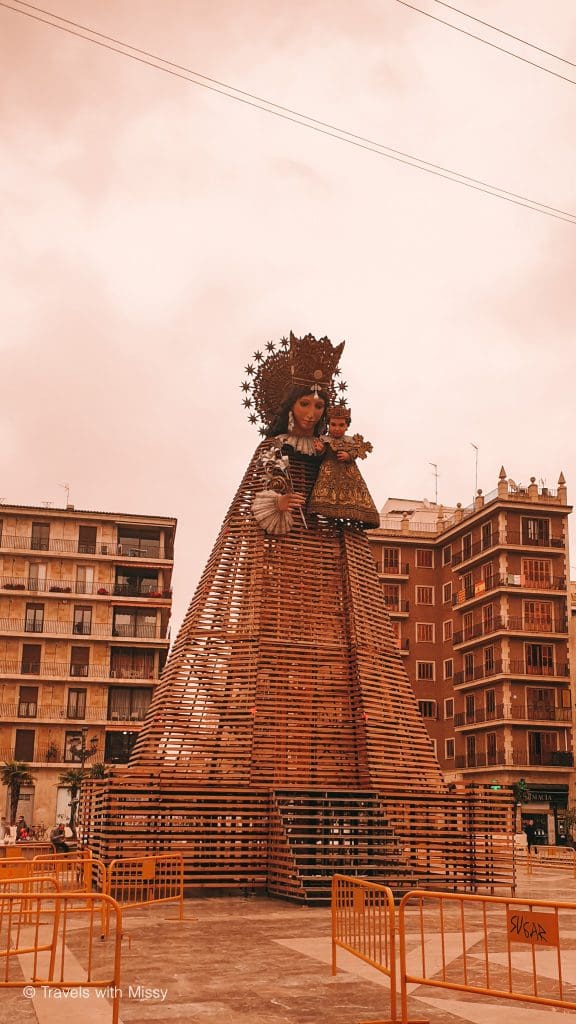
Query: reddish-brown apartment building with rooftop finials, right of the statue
x=479 y=599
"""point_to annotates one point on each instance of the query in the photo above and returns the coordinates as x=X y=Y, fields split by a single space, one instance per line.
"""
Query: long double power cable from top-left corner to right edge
x=286 y=113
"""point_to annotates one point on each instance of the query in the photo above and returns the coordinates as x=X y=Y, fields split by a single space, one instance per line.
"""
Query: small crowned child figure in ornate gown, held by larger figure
x=340 y=492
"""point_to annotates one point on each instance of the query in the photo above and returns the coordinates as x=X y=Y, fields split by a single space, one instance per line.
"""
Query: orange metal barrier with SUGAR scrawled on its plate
x=490 y=946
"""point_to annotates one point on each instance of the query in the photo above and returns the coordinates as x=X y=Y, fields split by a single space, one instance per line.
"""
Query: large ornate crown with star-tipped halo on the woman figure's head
x=308 y=361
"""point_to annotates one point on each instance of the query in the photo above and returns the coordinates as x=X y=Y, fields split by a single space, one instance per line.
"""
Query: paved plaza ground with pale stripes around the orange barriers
x=258 y=961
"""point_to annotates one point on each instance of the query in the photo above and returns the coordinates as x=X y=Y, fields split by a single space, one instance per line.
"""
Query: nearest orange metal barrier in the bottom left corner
x=33 y=934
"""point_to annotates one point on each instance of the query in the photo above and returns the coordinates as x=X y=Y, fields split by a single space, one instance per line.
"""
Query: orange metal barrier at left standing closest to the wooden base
x=144 y=881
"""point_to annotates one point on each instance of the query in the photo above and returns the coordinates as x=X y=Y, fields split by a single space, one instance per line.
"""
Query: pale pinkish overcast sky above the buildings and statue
x=154 y=234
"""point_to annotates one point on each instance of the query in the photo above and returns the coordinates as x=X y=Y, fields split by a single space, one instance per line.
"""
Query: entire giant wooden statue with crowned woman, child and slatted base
x=284 y=719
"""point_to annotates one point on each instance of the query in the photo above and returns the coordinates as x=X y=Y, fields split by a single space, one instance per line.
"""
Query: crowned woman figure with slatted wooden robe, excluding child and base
x=285 y=671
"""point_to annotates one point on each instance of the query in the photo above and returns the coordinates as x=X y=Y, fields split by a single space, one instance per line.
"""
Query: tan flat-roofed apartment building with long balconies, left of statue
x=86 y=601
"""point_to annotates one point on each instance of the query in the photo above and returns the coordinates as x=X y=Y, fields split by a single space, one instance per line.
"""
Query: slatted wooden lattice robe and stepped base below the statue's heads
x=284 y=741
